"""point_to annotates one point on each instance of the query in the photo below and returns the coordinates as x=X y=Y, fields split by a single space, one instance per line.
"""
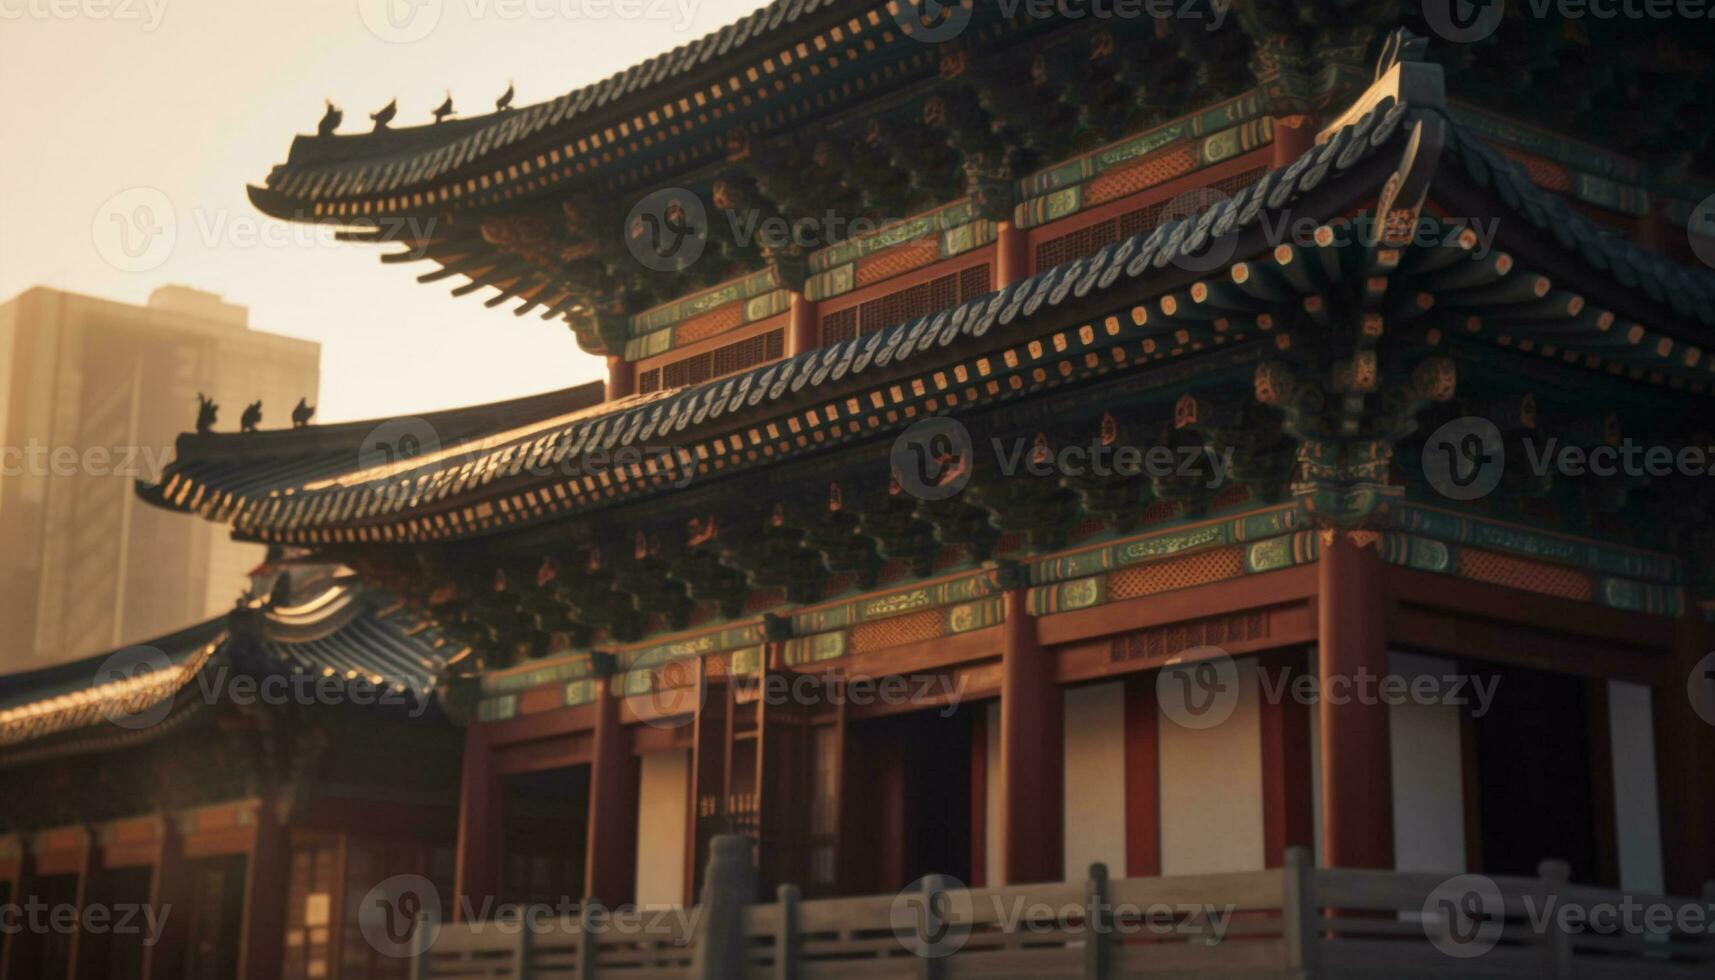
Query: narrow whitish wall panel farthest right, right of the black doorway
x=1637 y=802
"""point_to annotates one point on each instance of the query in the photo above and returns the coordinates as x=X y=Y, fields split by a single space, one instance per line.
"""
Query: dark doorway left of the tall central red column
x=908 y=794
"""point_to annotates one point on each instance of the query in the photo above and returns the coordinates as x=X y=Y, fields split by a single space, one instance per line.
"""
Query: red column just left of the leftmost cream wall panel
x=611 y=845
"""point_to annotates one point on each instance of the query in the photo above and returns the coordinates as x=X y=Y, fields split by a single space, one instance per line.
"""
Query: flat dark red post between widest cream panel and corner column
x=1287 y=811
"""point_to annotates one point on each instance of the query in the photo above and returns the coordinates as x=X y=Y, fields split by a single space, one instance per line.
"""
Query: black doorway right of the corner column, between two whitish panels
x=1534 y=770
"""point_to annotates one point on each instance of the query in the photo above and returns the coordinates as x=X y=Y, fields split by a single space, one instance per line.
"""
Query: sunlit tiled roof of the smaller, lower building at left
x=344 y=631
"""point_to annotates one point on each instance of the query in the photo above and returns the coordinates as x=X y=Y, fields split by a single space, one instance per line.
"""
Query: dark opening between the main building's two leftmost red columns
x=548 y=818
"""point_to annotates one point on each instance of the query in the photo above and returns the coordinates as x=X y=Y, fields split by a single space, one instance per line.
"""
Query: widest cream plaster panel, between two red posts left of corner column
x=1212 y=790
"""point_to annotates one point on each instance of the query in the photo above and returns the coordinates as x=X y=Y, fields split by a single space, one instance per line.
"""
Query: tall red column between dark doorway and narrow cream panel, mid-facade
x=1032 y=753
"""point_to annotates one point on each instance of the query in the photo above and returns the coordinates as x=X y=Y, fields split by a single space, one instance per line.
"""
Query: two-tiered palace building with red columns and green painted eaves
x=821 y=571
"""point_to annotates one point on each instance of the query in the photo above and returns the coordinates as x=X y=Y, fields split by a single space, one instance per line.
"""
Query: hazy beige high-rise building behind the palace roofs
x=92 y=397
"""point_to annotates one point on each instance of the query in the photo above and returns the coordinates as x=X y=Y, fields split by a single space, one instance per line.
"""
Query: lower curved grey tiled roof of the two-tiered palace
x=406 y=504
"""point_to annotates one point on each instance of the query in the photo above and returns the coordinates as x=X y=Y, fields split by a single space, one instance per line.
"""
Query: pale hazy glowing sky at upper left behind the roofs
x=107 y=104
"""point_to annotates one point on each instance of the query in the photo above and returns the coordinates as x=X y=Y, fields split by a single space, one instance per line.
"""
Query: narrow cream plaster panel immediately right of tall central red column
x=1095 y=780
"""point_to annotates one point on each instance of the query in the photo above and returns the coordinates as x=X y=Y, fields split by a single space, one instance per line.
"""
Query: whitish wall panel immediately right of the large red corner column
x=1428 y=775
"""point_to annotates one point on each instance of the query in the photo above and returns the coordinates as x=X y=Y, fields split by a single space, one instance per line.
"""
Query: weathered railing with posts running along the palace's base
x=1294 y=923
